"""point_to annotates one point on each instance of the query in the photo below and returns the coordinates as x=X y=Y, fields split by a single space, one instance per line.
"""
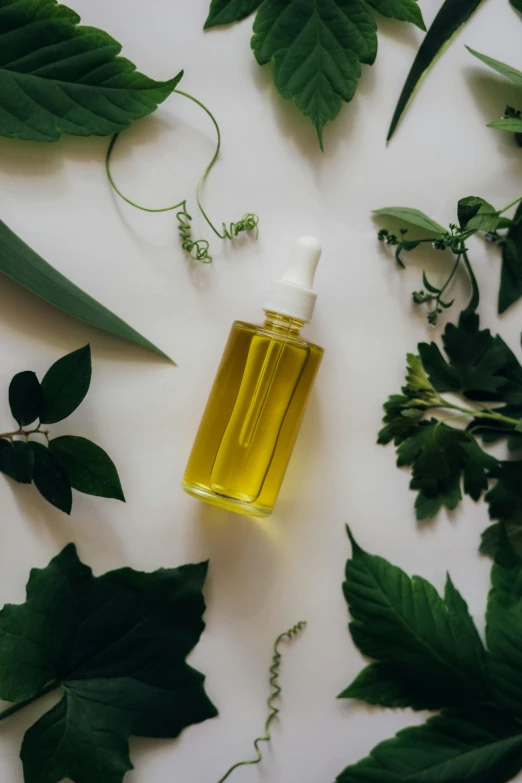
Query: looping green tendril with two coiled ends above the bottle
x=196 y=248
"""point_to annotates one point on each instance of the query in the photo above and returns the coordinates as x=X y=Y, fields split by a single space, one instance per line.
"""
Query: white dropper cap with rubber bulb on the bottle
x=293 y=294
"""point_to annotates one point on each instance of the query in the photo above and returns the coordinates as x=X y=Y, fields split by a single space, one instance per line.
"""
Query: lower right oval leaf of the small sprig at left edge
x=90 y=469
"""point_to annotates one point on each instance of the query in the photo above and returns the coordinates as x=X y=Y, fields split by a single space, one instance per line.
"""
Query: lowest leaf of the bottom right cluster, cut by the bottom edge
x=475 y=746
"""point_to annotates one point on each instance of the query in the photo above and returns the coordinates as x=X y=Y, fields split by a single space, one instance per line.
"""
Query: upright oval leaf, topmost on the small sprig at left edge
x=65 y=385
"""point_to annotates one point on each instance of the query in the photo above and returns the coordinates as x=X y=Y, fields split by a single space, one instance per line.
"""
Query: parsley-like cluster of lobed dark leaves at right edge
x=485 y=376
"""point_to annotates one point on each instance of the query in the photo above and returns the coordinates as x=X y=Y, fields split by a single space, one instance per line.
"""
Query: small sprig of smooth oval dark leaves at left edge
x=57 y=465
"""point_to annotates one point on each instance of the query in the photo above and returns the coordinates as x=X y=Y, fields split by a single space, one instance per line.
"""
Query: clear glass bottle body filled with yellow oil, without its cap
x=253 y=416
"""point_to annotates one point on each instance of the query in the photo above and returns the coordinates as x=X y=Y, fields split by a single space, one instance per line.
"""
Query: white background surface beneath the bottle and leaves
x=264 y=576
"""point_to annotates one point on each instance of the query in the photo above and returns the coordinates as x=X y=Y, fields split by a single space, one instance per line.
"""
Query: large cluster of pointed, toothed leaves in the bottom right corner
x=428 y=655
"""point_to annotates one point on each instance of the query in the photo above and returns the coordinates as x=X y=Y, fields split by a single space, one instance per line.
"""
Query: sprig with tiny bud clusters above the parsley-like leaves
x=475 y=215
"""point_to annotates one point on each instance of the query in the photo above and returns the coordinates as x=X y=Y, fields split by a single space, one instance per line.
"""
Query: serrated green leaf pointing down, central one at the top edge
x=316 y=48
